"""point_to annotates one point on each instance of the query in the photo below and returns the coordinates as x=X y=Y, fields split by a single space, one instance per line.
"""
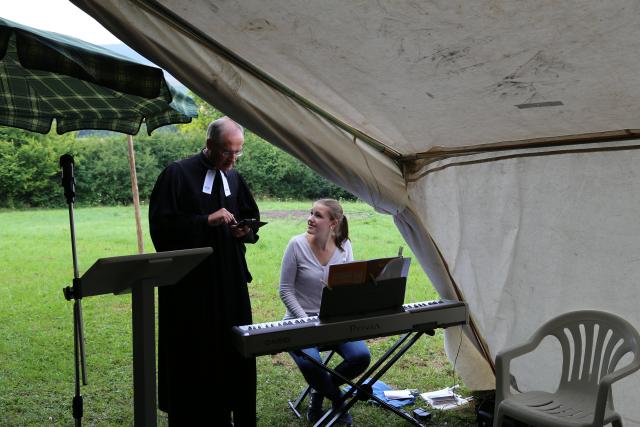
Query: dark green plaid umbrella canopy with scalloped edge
x=46 y=76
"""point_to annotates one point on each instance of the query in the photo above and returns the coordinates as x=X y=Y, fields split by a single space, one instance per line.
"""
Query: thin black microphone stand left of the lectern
x=73 y=292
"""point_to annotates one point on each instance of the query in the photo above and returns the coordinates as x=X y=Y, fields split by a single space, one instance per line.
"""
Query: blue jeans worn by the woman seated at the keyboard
x=356 y=358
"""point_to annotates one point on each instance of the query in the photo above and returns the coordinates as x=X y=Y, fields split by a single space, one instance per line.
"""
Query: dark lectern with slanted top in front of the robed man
x=139 y=274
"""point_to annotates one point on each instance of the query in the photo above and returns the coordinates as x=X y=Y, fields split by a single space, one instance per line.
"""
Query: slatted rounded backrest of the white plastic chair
x=593 y=343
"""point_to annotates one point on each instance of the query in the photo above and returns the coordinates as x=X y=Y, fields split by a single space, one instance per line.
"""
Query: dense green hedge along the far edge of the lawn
x=30 y=176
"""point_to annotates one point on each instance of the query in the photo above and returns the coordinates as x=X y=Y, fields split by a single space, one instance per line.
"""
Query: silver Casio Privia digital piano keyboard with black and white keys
x=294 y=334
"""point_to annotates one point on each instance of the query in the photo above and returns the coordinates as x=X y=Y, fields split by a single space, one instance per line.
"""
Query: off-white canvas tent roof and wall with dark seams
x=499 y=135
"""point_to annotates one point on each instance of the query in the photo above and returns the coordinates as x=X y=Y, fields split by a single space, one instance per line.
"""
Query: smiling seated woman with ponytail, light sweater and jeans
x=303 y=274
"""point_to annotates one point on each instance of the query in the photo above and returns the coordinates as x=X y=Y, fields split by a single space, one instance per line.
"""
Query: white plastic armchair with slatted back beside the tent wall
x=583 y=397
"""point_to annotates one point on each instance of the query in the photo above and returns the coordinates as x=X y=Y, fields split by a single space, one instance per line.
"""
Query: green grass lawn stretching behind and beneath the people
x=36 y=346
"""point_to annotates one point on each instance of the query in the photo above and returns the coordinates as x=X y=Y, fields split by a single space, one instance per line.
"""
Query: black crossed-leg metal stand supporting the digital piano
x=361 y=391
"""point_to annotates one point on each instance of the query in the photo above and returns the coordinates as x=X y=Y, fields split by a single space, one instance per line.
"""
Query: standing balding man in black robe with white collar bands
x=196 y=202
